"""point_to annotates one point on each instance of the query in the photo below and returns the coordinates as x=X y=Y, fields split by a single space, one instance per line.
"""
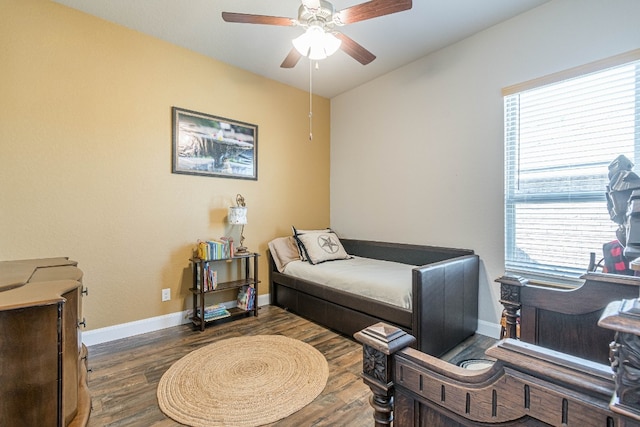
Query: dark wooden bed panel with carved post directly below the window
x=565 y=320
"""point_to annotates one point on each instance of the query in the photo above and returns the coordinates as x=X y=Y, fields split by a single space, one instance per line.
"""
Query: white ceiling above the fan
x=396 y=39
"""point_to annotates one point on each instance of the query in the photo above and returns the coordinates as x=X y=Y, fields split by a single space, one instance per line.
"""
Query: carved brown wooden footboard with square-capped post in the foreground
x=527 y=385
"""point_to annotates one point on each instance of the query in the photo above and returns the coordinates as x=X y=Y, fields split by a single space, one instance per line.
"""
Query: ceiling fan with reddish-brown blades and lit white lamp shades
x=319 y=18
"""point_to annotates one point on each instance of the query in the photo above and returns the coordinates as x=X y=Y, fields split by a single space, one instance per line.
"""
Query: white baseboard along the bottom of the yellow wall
x=125 y=330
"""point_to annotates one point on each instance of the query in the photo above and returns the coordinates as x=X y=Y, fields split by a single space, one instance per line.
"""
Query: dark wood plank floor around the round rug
x=125 y=373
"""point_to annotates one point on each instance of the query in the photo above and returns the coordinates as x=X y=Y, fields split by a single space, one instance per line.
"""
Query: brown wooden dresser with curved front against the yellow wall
x=42 y=359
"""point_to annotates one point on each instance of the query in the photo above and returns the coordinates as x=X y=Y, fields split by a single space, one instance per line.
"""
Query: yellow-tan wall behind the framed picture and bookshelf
x=85 y=157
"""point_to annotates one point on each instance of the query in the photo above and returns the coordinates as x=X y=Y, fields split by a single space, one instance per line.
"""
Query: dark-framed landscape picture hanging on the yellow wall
x=213 y=146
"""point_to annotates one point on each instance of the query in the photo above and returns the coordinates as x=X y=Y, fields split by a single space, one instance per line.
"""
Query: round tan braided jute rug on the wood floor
x=244 y=381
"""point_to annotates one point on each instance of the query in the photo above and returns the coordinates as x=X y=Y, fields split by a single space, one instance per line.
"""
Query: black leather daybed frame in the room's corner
x=442 y=306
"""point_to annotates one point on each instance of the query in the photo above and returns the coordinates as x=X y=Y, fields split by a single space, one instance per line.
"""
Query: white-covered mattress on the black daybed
x=384 y=281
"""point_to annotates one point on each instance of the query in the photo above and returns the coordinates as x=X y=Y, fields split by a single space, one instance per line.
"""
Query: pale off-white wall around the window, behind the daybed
x=434 y=152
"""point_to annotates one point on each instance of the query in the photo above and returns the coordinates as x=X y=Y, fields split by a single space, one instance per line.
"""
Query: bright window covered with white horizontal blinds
x=561 y=133
